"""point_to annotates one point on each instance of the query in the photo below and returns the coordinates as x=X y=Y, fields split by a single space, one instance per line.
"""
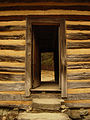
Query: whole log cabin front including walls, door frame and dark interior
x=29 y=27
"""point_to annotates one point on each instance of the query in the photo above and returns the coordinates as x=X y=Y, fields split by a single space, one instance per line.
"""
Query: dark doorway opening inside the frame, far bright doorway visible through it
x=45 y=56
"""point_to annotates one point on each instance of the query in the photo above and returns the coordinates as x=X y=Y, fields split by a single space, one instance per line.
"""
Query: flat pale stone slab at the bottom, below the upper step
x=43 y=116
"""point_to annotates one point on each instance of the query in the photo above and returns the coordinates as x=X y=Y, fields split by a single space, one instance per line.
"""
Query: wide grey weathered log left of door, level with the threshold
x=12 y=87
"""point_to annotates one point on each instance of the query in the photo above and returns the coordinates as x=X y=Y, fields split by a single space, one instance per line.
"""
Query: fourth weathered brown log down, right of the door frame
x=78 y=58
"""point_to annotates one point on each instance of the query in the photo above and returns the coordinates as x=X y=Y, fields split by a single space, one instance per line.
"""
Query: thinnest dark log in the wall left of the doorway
x=11 y=69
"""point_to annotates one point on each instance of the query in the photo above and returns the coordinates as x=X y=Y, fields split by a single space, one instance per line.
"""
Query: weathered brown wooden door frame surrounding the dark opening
x=62 y=48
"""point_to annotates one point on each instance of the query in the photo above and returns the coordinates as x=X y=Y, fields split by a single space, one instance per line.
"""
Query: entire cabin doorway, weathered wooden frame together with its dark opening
x=45 y=35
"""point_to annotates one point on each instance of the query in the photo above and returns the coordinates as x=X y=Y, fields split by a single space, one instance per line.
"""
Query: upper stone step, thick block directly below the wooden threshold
x=47 y=103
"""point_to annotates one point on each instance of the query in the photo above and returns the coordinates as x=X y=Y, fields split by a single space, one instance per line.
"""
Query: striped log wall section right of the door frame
x=78 y=62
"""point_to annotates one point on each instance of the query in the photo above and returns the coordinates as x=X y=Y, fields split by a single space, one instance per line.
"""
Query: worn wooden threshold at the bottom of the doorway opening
x=48 y=87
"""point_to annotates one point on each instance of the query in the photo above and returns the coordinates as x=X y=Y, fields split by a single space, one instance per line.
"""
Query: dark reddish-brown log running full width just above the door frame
x=67 y=17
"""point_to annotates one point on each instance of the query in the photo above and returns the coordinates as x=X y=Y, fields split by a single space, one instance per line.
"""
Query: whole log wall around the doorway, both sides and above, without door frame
x=12 y=48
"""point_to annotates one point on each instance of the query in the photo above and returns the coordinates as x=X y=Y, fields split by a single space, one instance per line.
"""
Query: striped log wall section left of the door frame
x=12 y=63
